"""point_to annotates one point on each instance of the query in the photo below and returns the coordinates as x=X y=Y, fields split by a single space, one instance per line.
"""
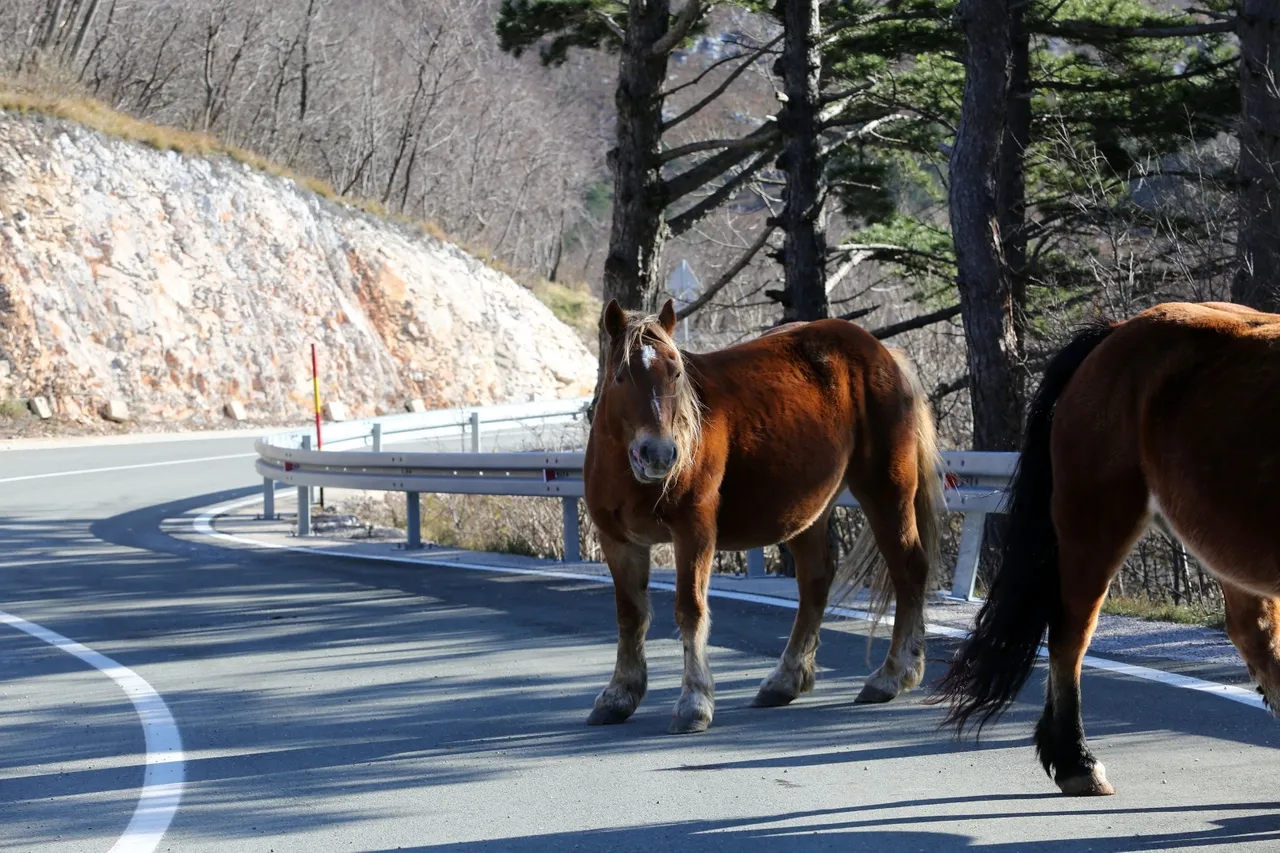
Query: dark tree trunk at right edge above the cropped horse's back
x=1258 y=280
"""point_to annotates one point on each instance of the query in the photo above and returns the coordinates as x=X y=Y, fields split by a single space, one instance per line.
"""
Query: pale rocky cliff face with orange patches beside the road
x=181 y=284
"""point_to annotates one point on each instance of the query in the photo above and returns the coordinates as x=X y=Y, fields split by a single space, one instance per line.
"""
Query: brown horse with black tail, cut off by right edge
x=1174 y=412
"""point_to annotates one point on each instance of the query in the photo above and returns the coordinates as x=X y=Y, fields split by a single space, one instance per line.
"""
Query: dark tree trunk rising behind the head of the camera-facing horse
x=639 y=229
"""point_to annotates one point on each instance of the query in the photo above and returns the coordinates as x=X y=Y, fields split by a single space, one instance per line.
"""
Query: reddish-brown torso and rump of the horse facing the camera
x=788 y=412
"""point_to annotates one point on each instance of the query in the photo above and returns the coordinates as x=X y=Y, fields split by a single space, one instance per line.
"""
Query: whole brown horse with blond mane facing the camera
x=751 y=446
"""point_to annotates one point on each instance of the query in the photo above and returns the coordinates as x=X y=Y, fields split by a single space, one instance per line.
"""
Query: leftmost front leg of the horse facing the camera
x=629 y=564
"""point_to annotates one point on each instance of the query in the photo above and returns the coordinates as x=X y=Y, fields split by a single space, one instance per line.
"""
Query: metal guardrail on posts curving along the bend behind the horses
x=976 y=481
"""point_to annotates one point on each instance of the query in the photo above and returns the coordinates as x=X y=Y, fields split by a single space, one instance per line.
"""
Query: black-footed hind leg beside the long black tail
x=1094 y=539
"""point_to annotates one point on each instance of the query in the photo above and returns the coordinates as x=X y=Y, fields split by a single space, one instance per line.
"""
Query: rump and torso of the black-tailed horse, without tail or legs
x=1185 y=398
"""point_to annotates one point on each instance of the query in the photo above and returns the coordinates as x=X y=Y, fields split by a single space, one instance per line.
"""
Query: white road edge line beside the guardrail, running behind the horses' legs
x=204 y=526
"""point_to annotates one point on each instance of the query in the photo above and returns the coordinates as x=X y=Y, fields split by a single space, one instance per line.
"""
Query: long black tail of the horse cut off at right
x=998 y=658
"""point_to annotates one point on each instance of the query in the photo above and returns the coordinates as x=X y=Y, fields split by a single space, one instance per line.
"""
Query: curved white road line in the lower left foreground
x=163 y=778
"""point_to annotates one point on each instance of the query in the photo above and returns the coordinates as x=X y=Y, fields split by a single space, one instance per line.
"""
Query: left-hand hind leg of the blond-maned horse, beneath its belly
x=815 y=573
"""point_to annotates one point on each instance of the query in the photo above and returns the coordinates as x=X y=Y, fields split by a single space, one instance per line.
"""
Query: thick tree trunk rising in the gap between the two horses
x=986 y=294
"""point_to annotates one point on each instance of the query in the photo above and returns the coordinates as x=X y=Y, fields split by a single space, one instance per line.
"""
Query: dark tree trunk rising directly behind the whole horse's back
x=804 y=249
